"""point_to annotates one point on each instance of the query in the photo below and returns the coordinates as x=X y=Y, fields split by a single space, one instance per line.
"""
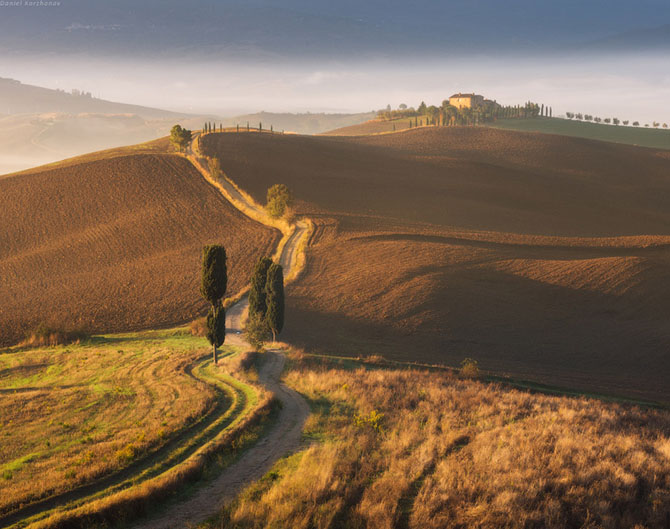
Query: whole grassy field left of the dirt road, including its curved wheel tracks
x=83 y=422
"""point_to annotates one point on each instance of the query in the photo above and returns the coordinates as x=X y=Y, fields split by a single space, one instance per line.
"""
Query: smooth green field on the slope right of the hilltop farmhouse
x=642 y=136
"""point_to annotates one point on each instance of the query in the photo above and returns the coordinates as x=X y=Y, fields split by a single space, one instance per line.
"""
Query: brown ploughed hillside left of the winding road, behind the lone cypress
x=113 y=243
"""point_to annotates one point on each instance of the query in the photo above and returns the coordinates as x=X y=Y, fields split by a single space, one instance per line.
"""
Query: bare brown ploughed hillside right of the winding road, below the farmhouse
x=543 y=257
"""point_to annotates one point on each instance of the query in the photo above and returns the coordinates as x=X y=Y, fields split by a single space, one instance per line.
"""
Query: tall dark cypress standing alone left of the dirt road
x=213 y=284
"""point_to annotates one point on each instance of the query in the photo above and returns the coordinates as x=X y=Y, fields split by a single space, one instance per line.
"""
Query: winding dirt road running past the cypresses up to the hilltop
x=285 y=436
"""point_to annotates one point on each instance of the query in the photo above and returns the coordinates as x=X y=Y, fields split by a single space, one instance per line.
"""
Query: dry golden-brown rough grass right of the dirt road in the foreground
x=451 y=452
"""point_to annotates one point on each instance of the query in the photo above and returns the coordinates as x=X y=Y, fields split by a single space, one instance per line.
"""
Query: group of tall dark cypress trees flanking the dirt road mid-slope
x=266 y=295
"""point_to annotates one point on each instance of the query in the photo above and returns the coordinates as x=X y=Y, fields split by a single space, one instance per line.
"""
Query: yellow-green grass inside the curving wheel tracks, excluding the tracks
x=71 y=414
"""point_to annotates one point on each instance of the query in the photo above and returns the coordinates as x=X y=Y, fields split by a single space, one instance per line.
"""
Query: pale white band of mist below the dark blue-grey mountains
x=632 y=86
